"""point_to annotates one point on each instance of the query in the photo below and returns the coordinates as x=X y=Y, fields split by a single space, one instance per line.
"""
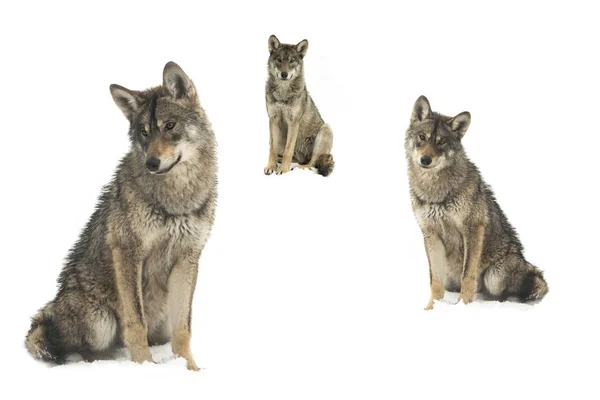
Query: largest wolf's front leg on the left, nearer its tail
x=128 y=276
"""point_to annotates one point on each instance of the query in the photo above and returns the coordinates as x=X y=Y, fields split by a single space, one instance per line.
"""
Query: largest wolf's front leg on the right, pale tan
x=182 y=283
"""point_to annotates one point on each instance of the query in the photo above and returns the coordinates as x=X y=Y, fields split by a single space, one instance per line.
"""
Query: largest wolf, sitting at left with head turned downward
x=130 y=278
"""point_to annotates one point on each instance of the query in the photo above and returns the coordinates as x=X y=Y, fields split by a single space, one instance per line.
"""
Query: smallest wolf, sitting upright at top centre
x=297 y=131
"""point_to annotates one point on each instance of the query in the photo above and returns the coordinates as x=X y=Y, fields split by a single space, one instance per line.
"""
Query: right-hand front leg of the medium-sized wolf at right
x=473 y=247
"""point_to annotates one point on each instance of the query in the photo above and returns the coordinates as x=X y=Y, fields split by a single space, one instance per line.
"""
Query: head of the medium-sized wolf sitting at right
x=434 y=140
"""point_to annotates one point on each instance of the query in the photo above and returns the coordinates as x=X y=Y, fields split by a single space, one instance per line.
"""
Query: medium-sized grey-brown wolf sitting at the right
x=470 y=245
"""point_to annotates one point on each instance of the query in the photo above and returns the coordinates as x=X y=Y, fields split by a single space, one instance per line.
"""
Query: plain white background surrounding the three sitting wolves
x=314 y=287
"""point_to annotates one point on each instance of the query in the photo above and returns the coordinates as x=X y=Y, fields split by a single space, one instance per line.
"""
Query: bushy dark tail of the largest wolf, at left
x=43 y=339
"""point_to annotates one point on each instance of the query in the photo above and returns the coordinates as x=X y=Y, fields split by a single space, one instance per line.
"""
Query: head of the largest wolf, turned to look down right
x=165 y=122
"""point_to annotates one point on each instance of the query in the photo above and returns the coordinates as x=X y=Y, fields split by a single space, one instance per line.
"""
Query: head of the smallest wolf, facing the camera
x=286 y=60
